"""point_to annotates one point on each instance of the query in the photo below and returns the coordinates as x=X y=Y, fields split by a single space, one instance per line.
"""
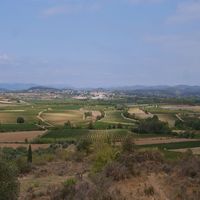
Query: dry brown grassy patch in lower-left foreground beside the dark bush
x=51 y=174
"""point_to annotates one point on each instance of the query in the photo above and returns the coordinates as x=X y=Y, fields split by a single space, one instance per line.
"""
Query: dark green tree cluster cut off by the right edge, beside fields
x=188 y=123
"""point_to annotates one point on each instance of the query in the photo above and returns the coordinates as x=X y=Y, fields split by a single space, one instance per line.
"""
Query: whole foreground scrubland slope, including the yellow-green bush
x=102 y=171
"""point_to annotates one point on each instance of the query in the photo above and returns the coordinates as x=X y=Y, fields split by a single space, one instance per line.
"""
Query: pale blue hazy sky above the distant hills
x=100 y=43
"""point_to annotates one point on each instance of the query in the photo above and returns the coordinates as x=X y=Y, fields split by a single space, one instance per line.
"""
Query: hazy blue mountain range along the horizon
x=160 y=90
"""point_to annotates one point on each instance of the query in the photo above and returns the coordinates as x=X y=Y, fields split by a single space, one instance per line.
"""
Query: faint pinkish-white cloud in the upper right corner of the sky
x=186 y=12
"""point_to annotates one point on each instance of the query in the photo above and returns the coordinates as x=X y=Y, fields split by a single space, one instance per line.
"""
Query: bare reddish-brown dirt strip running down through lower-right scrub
x=153 y=181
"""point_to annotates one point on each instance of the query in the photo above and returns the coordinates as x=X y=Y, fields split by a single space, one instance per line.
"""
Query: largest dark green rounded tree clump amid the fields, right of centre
x=153 y=125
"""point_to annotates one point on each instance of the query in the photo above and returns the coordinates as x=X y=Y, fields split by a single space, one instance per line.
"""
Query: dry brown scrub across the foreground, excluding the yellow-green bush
x=137 y=175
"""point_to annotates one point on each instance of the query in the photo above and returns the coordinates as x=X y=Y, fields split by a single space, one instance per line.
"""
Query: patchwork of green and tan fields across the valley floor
x=105 y=129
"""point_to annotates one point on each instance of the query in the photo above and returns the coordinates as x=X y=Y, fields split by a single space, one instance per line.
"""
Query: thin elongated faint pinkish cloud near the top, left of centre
x=70 y=9
